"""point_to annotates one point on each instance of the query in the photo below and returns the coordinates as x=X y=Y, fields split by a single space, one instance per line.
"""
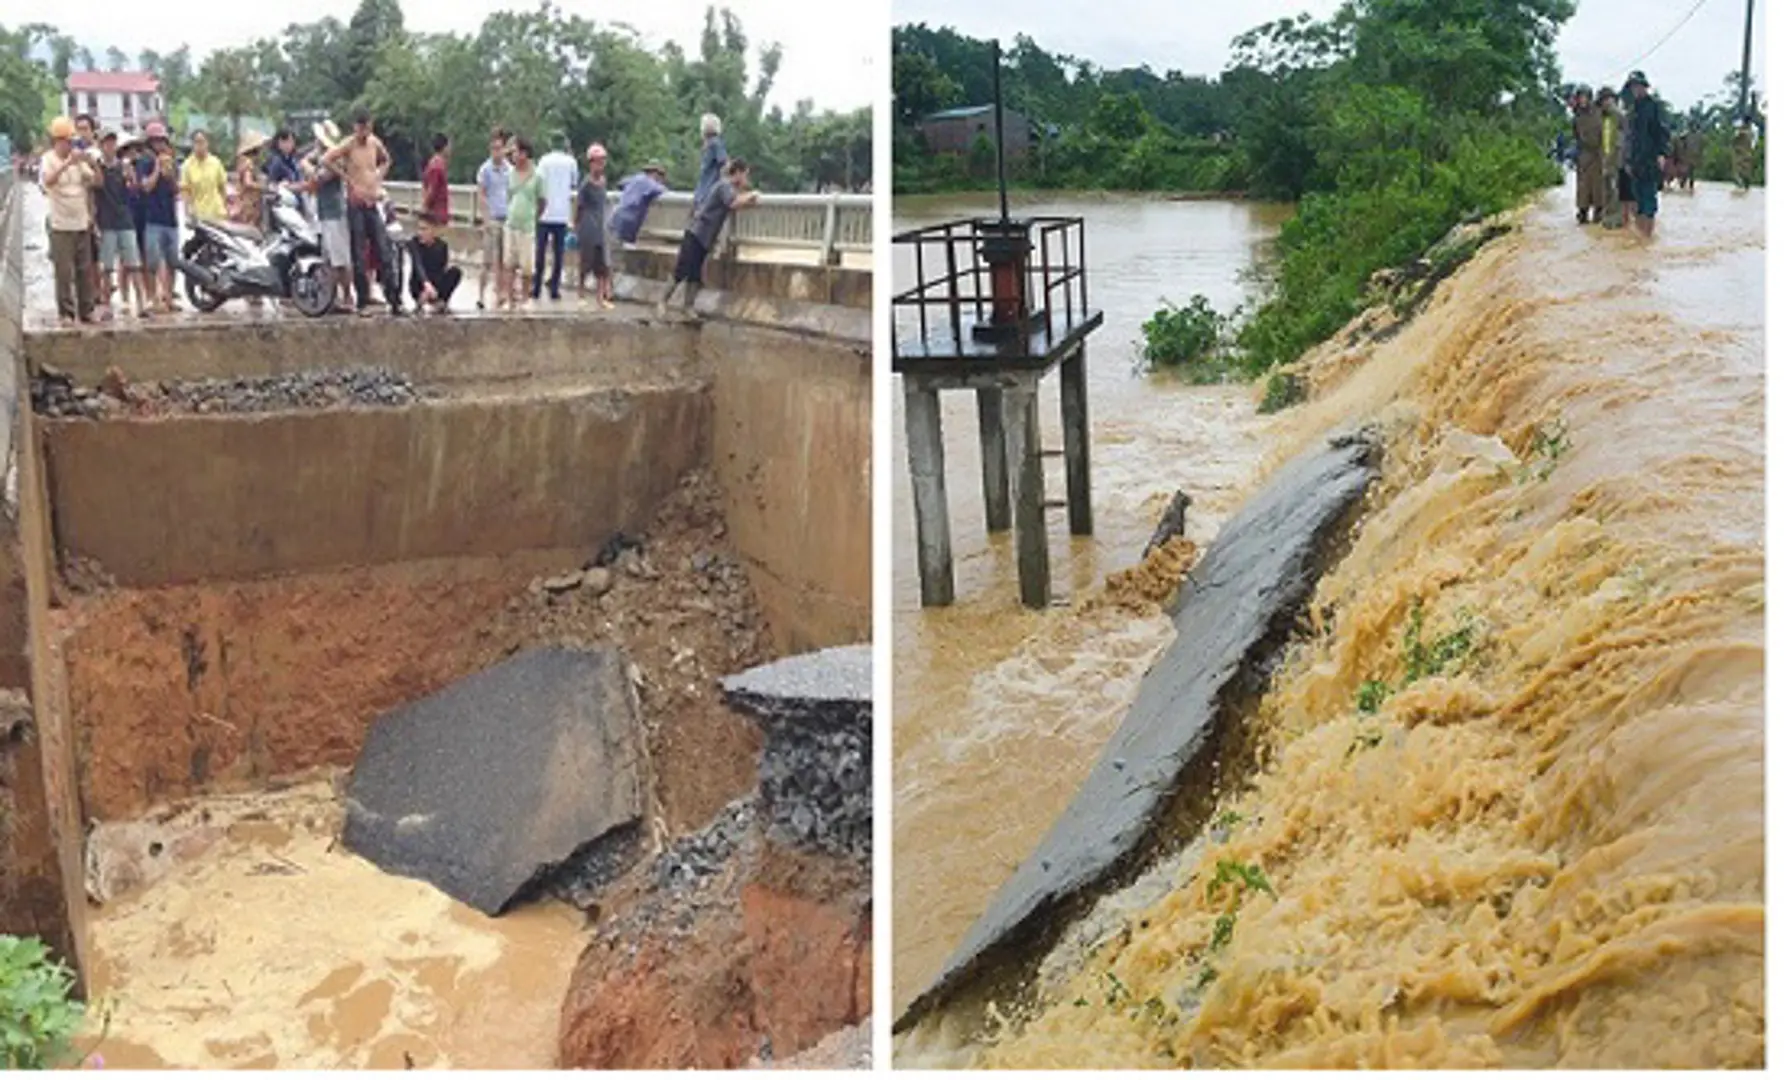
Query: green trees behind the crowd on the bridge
x=531 y=71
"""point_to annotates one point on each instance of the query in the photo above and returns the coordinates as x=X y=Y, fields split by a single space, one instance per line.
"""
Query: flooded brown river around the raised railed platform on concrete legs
x=1000 y=711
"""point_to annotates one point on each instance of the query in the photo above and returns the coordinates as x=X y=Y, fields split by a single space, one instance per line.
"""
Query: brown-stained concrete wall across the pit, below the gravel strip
x=236 y=497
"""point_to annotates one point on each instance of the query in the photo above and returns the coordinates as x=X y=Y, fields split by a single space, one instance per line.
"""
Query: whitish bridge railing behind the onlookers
x=825 y=224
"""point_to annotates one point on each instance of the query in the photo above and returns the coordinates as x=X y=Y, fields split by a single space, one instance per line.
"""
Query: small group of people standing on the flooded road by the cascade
x=1624 y=158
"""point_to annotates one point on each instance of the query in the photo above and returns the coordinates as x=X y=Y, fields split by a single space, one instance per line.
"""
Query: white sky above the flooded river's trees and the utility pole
x=1598 y=46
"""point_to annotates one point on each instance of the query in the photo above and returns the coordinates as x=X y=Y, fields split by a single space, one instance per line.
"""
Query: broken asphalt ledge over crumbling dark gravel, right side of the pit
x=818 y=754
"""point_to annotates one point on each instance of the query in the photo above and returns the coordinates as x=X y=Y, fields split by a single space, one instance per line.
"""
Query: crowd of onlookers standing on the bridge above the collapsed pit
x=117 y=204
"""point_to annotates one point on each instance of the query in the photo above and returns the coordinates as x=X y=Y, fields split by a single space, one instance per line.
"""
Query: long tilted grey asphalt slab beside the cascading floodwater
x=1234 y=613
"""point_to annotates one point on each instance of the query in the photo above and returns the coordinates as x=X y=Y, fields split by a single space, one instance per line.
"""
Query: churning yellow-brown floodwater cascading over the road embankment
x=1512 y=810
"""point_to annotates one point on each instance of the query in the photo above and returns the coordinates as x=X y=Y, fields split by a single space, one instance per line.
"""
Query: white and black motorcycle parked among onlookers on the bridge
x=226 y=262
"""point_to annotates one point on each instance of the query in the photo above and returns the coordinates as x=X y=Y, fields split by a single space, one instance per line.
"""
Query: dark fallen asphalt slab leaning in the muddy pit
x=488 y=786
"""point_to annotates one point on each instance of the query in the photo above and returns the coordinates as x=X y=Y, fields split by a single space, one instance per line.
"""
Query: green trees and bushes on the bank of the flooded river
x=1391 y=122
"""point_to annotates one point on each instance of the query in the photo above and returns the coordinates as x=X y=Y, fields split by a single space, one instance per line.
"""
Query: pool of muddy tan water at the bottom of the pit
x=272 y=945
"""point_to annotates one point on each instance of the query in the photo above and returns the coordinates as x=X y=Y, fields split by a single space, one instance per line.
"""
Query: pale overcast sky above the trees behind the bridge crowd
x=830 y=49
